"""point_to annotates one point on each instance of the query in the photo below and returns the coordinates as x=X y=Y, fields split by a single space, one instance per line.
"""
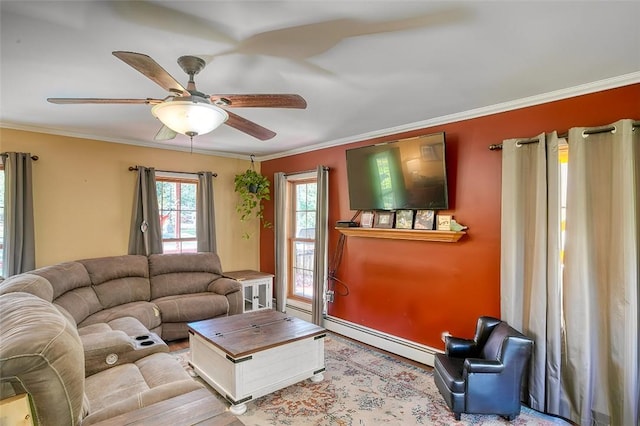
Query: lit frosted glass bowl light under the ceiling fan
x=190 y=118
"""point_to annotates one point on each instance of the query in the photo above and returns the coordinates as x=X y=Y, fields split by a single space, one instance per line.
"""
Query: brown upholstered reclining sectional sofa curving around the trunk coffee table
x=110 y=314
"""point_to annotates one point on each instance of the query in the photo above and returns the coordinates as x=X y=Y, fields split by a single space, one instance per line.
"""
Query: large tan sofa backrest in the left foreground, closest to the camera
x=40 y=351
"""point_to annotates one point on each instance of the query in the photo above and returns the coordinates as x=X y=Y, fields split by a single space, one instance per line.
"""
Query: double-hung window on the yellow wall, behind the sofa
x=177 y=206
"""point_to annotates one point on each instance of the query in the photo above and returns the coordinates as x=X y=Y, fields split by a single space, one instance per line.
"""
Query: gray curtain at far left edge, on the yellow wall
x=19 y=235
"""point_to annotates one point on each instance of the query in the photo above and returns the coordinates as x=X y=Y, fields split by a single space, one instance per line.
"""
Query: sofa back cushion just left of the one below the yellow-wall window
x=119 y=279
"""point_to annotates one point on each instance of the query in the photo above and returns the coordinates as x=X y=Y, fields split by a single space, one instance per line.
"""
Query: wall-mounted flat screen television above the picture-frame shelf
x=405 y=174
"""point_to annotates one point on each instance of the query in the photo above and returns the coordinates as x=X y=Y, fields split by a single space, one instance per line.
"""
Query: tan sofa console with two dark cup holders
x=110 y=348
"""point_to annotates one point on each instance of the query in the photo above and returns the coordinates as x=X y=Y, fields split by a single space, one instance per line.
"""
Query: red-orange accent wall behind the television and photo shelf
x=416 y=289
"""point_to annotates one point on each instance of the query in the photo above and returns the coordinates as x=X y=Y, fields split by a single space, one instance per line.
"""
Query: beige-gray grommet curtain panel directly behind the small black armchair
x=530 y=254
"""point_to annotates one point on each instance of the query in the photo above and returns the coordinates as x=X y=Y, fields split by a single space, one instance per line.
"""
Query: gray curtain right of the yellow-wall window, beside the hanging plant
x=205 y=214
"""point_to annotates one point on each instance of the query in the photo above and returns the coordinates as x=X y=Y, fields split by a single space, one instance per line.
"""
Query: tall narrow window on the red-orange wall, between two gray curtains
x=301 y=237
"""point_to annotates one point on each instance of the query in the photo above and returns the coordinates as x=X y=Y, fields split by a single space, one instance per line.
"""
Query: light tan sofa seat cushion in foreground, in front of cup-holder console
x=127 y=387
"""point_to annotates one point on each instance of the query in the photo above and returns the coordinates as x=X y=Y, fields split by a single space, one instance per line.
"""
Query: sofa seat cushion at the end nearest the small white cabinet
x=192 y=307
